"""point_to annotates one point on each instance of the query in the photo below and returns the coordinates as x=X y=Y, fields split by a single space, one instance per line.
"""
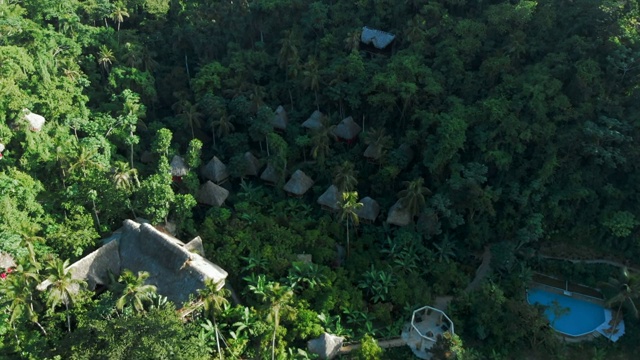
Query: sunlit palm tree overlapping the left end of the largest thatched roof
x=62 y=287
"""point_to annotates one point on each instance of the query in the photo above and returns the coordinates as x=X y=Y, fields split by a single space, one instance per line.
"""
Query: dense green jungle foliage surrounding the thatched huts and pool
x=501 y=124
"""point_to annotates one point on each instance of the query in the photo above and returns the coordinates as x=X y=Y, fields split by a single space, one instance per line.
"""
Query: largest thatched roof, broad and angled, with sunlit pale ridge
x=173 y=269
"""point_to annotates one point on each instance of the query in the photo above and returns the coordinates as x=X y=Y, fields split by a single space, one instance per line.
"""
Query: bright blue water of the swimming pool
x=582 y=317
